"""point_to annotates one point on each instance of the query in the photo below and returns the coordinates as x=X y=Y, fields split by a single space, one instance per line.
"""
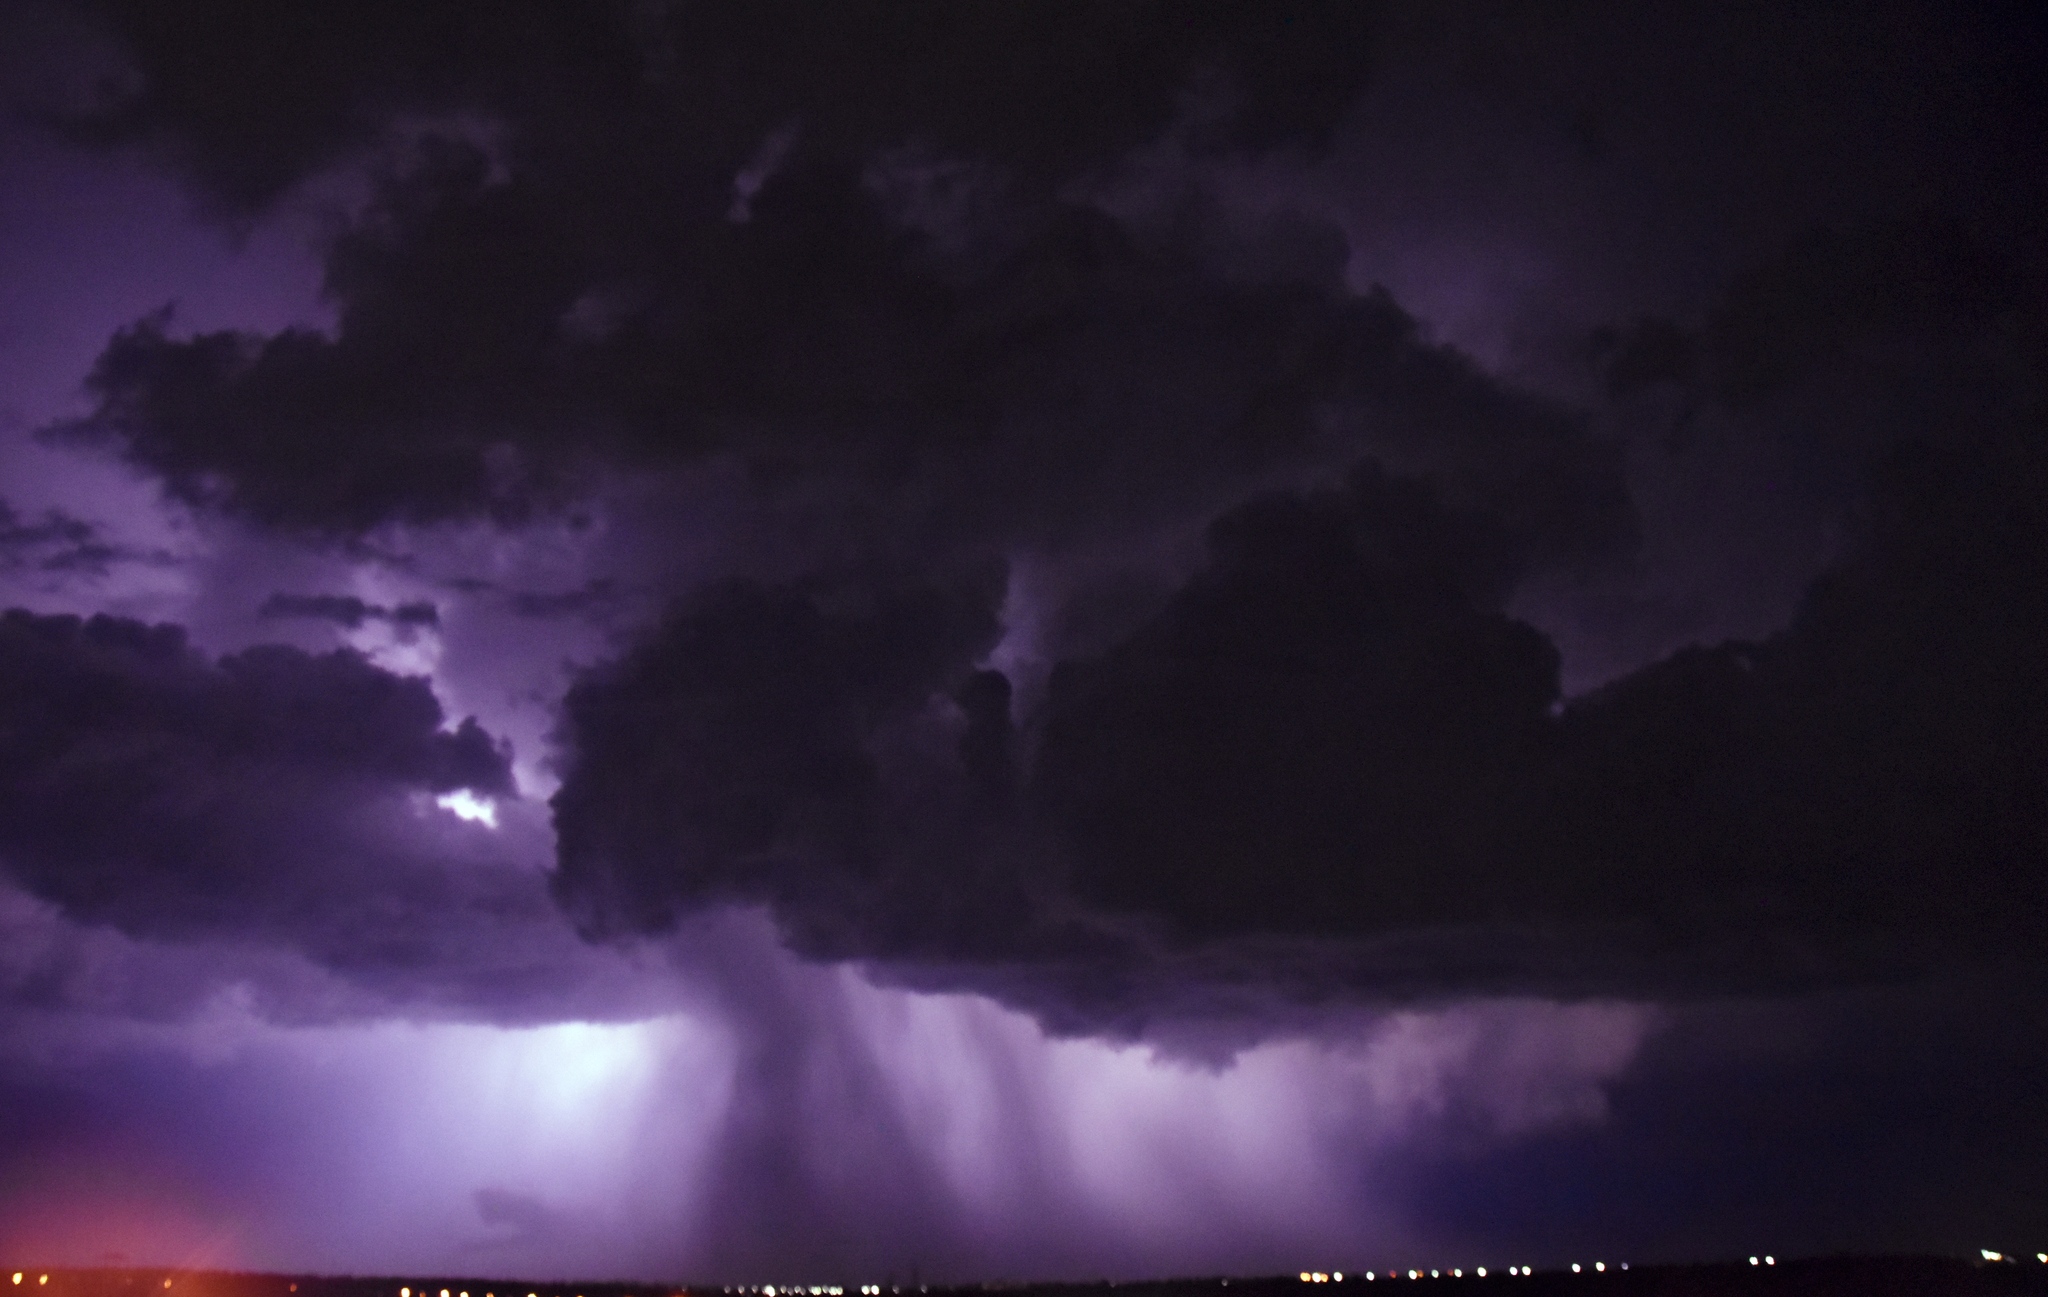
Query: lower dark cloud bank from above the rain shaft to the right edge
x=1330 y=765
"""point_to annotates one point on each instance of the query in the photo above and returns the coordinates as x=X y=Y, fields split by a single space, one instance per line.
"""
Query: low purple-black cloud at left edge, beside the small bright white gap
x=261 y=796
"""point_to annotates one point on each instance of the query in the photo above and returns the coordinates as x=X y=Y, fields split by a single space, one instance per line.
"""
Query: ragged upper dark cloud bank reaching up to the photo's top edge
x=910 y=317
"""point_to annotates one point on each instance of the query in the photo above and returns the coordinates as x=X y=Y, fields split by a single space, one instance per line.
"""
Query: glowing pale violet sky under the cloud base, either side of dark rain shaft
x=593 y=1148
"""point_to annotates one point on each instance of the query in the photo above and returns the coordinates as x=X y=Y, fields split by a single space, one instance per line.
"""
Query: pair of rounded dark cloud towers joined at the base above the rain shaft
x=1320 y=747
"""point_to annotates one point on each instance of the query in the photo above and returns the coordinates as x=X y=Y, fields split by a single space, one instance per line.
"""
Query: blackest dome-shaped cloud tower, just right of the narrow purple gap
x=1330 y=708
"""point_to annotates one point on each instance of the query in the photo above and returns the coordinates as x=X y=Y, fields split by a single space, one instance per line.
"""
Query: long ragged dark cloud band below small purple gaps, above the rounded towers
x=1080 y=380
